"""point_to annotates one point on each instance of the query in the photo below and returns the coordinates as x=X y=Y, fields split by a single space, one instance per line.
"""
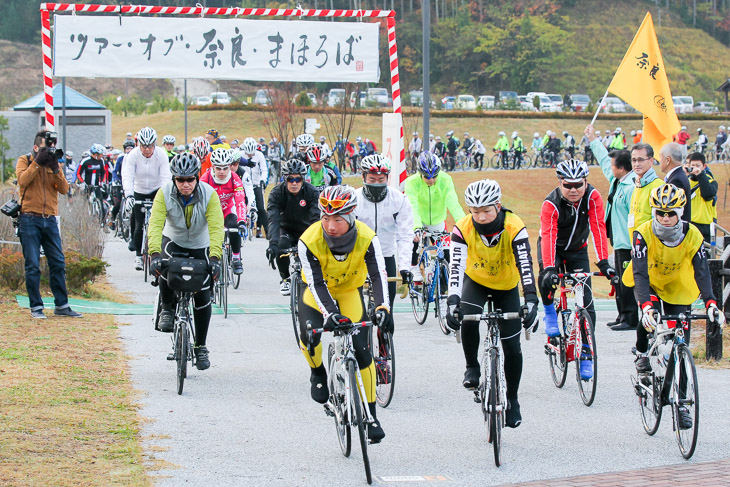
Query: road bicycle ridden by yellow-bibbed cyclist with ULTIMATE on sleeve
x=492 y=390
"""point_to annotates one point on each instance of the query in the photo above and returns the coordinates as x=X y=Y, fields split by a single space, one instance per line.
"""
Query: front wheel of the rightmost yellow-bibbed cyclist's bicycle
x=685 y=397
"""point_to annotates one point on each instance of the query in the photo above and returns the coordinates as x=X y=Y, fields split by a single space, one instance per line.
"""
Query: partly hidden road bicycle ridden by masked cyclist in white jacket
x=383 y=349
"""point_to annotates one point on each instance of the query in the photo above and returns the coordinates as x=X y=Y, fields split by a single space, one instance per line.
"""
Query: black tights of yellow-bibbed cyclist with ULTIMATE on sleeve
x=473 y=298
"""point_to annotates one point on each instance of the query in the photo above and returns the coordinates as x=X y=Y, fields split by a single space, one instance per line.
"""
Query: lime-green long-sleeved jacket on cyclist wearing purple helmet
x=429 y=203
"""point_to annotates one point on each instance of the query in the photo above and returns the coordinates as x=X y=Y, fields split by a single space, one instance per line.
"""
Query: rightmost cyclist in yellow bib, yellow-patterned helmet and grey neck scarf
x=669 y=271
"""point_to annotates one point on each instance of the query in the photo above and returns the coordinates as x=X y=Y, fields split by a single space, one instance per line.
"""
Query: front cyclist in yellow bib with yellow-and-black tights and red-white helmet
x=337 y=253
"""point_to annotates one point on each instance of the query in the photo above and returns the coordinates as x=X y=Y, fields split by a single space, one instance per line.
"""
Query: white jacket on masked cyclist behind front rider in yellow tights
x=394 y=225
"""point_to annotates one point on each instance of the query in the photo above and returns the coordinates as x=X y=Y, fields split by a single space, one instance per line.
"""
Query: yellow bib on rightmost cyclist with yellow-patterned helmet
x=671 y=273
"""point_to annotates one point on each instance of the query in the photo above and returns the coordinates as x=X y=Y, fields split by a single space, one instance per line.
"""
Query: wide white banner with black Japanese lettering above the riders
x=208 y=48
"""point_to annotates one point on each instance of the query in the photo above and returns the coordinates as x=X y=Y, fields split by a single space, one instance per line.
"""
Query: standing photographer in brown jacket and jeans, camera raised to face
x=41 y=180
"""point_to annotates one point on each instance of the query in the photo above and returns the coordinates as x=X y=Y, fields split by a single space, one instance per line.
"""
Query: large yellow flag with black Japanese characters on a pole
x=641 y=81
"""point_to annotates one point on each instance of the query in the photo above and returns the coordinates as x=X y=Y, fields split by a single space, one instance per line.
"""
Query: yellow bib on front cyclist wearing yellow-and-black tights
x=340 y=276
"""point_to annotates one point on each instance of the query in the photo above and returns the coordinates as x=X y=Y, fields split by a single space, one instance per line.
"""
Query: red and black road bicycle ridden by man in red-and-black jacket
x=577 y=340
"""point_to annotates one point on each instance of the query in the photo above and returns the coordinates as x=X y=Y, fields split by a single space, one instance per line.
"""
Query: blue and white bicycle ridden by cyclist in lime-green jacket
x=433 y=288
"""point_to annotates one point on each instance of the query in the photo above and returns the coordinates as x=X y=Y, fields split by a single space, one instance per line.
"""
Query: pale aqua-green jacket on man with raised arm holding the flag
x=621 y=205
